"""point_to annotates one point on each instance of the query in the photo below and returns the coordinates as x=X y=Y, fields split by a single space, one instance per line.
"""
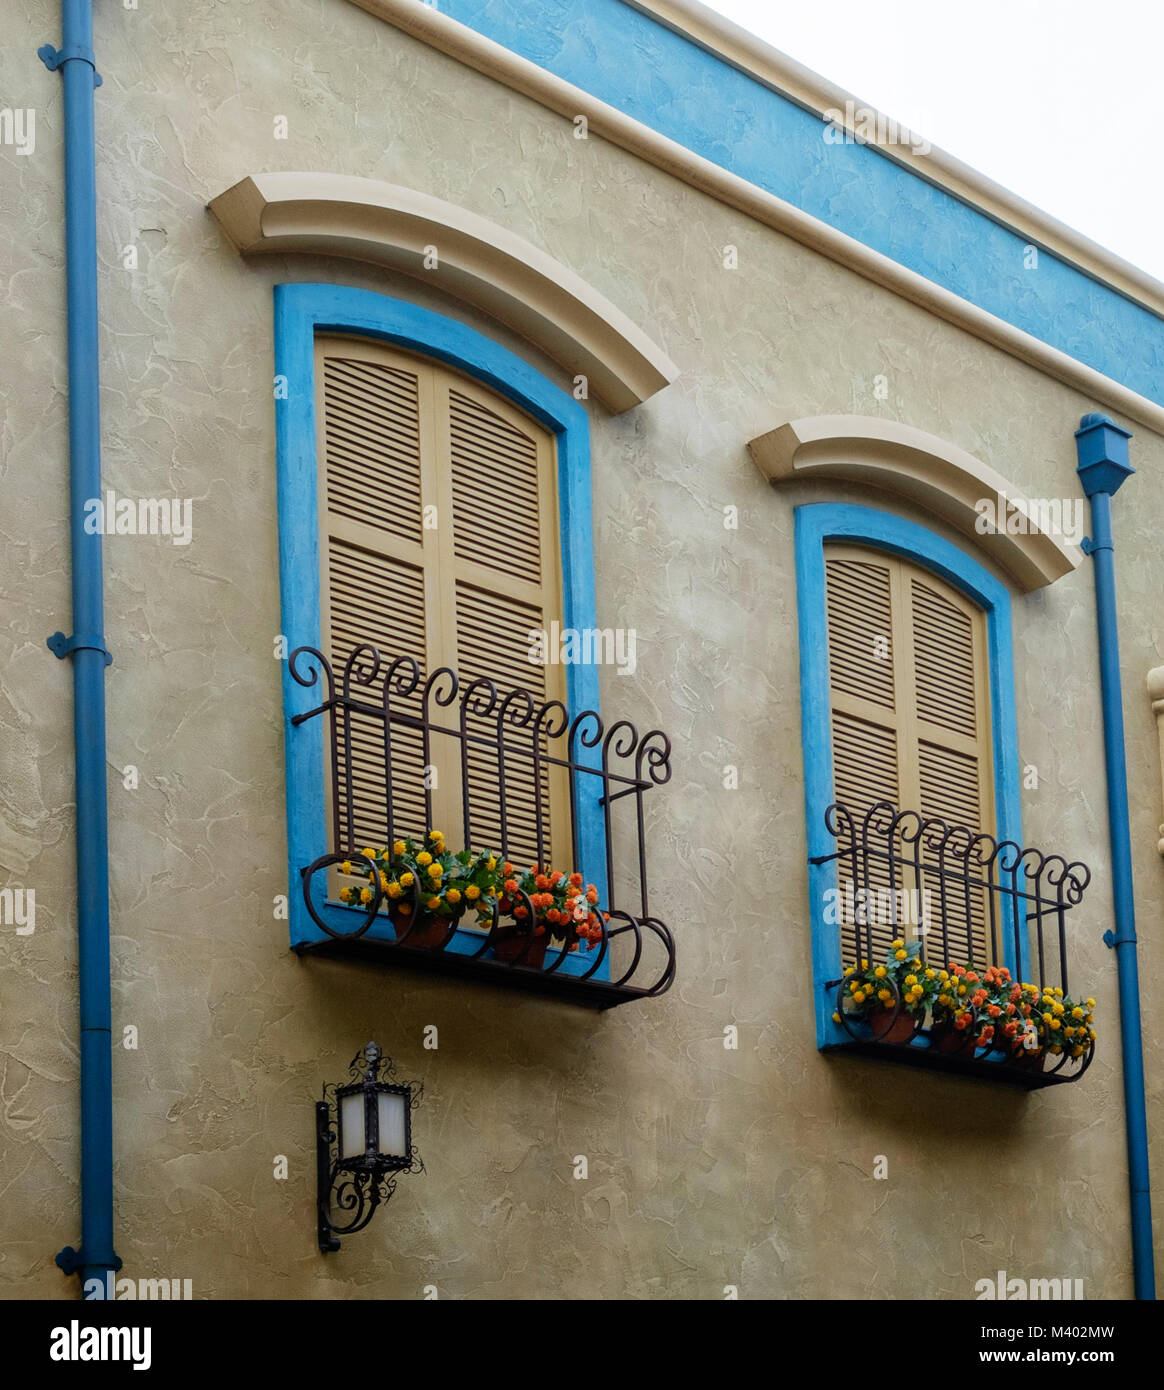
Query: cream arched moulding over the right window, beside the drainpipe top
x=928 y=472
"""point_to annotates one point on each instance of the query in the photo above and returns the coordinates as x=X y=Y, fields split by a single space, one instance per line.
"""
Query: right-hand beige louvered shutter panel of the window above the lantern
x=503 y=494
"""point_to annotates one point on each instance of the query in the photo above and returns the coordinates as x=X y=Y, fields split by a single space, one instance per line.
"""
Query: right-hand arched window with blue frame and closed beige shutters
x=907 y=698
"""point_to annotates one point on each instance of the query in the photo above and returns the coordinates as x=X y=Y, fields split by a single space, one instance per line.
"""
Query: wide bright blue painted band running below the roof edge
x=697 y=99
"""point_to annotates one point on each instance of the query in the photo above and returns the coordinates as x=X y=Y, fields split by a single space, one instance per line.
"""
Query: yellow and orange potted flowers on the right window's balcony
x=969 y=1008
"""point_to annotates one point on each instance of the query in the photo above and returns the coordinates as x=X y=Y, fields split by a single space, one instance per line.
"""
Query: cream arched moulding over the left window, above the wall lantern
x=467 y=256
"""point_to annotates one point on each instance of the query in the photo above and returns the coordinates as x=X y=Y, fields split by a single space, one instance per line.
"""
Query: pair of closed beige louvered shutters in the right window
x=910 y=718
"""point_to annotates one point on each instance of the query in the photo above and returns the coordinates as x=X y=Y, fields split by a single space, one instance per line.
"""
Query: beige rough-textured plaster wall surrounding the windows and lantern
x=707 y=1167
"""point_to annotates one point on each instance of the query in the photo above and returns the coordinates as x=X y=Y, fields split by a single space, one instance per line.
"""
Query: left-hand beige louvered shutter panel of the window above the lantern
x=376 y=566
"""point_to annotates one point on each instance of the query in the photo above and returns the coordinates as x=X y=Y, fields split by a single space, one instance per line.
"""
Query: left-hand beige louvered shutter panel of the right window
x=866 y=715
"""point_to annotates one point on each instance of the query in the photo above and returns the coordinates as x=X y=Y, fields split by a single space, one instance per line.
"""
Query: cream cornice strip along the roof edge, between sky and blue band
x=791 y=79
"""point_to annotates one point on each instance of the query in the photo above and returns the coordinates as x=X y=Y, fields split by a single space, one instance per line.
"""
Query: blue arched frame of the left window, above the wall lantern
x=302 y=312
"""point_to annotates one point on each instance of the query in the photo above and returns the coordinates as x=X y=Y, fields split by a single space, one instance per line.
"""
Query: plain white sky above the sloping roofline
x=1058 y=101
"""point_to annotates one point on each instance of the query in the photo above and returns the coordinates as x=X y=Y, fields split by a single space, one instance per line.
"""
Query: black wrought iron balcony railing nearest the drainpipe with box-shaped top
x=963 y=897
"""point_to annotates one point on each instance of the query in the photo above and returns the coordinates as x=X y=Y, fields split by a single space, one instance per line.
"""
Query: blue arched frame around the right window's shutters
x=817 y=525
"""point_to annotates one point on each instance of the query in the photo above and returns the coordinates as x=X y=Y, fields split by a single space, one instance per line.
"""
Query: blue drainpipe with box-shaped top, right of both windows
x=1104 y=466
